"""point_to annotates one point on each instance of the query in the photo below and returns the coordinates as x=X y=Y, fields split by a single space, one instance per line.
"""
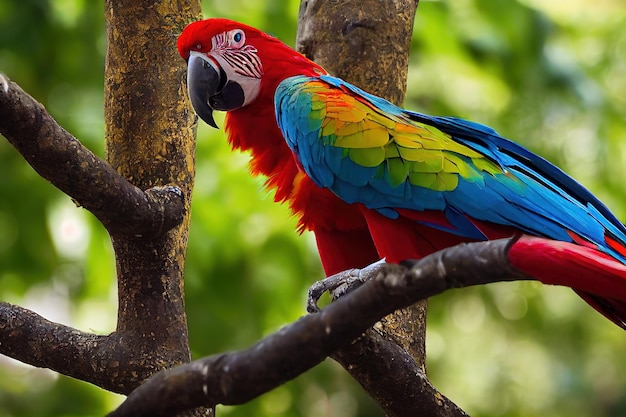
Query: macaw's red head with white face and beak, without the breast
x=230 y=65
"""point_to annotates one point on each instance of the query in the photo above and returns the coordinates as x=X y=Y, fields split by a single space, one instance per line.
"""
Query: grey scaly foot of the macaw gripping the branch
x=340 y=284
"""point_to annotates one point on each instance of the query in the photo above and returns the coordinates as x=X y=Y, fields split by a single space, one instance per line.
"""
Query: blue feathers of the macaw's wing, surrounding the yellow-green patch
x=531 y=194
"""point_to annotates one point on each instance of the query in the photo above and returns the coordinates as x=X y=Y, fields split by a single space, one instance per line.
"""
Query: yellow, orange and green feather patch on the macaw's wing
x=423 y=154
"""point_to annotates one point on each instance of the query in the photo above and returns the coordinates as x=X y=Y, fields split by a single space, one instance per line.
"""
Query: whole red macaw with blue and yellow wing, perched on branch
x=373 y=180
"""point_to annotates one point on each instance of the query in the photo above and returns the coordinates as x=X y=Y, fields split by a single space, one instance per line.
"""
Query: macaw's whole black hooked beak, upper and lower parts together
x=210 y=89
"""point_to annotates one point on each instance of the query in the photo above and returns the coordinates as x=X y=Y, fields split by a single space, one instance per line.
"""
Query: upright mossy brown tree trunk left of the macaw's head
x=150 y=140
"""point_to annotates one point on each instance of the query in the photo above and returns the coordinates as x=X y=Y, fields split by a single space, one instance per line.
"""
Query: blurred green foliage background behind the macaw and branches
x=549 y=74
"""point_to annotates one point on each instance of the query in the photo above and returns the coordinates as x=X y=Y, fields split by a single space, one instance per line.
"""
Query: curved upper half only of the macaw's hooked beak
x=203 y=81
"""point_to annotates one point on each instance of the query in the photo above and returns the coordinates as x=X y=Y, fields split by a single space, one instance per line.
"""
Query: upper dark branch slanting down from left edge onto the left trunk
x=60 y=158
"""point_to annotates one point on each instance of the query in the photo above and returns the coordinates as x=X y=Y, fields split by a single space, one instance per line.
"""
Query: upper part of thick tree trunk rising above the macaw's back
x=363 y=42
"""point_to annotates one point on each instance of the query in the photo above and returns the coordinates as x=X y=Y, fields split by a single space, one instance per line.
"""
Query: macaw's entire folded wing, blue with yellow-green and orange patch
x=368 y=151
